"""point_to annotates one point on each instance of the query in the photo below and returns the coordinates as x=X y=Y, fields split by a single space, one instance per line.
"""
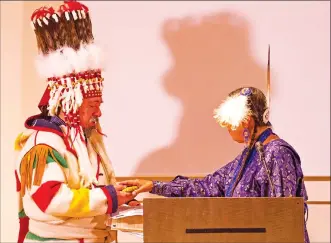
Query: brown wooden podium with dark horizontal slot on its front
x=237 y=220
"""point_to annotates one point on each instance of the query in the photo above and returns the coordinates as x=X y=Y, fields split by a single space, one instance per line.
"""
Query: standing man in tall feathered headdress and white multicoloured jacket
x=65 y=180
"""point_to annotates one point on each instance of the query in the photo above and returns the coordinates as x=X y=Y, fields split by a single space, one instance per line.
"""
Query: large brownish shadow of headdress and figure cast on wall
x=210 y=59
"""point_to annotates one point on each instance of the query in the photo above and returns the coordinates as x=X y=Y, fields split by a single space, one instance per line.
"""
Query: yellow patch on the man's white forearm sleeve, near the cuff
x=80 y=203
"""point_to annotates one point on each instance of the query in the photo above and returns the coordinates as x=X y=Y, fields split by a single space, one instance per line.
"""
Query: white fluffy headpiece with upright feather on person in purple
x=234 y=110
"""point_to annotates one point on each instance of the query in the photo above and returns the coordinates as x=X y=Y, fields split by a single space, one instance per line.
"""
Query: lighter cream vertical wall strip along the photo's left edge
x=11 y=112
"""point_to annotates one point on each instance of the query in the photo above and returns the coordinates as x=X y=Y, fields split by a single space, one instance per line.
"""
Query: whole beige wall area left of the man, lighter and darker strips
x=21 y=90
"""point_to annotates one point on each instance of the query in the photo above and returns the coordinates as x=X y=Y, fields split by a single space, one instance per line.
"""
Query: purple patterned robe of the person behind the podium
x=285 y=173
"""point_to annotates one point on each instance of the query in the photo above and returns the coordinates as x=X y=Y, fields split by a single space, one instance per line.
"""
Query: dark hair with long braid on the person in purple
x=257 y=104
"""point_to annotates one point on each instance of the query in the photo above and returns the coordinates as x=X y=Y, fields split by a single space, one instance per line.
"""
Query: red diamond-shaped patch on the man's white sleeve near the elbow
x=45 y=193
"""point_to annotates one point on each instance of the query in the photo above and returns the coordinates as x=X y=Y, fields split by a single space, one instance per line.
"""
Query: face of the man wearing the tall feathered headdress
x=89 y=112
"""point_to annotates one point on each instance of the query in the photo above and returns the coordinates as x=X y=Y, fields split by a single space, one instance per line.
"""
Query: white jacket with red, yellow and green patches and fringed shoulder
x=52 y=205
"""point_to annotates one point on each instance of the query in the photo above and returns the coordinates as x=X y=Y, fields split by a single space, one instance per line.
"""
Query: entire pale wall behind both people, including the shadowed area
x=146 y=64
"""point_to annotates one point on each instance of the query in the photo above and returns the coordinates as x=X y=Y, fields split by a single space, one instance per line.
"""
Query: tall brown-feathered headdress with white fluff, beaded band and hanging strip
x=71 y=63
